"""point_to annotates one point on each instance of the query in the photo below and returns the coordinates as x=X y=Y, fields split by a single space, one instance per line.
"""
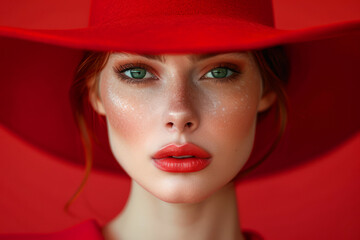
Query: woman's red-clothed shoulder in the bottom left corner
x=89 y=230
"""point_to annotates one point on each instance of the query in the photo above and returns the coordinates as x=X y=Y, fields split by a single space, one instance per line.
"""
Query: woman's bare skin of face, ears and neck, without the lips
x=150 y=102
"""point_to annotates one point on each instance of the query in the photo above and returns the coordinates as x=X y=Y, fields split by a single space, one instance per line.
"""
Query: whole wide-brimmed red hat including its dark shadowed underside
x=37 y=67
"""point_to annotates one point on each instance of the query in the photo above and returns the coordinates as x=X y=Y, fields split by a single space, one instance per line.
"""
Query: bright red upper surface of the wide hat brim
x=174 y=34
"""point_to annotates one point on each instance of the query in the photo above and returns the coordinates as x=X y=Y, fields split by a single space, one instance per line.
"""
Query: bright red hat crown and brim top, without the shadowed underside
x=178 y=27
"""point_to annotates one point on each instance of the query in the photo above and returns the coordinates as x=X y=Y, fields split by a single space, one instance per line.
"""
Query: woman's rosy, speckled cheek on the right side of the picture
x=232 y=122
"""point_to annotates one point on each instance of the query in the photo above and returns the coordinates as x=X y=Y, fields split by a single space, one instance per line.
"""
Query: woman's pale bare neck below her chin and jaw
x=146 y=217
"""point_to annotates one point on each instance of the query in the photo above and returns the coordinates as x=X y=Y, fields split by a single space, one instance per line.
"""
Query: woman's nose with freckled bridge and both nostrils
x=180 y=114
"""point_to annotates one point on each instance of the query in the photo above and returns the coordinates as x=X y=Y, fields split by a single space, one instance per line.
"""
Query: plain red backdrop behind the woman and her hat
x=297 y=204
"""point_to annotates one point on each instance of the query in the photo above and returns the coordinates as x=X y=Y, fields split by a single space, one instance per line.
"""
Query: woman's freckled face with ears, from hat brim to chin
x=152 y=102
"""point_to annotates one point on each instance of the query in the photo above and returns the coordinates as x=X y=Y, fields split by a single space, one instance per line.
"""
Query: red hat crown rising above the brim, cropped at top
x=108 y=11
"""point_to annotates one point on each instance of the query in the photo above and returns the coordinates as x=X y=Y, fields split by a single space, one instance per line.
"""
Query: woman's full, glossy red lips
x=195 y=158
